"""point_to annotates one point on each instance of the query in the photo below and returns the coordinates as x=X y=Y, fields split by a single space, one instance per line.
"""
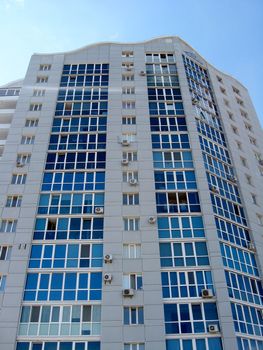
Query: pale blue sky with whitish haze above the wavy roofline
x=228 y=33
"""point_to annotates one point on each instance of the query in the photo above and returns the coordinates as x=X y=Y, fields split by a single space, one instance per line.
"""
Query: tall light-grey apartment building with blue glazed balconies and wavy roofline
x=131 y=201
